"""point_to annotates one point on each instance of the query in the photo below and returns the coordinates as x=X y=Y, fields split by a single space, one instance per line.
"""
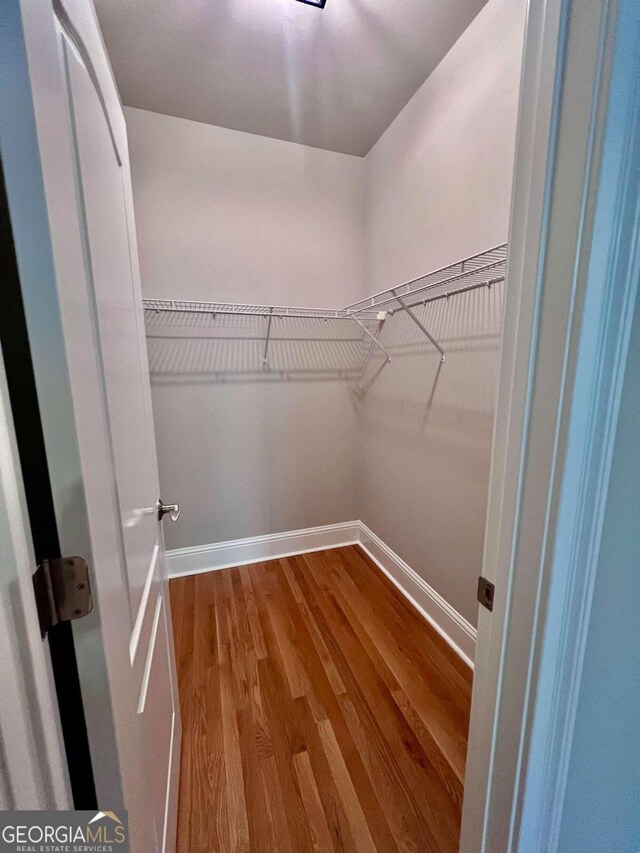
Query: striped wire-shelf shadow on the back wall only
x=197 y=348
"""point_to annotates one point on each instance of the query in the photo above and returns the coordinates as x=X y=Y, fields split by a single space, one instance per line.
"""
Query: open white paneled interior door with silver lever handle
x=84 y=313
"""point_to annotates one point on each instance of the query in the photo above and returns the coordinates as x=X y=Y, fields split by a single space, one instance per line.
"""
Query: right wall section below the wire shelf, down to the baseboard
x=425 y=433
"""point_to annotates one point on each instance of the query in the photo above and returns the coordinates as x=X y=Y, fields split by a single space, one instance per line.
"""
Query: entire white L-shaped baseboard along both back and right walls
x=455 y=629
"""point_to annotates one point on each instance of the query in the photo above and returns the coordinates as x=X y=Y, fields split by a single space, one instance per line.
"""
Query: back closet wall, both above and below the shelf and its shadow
x=228 y=216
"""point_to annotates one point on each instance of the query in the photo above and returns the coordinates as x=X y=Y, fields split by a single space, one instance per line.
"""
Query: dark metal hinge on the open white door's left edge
x=62 y=591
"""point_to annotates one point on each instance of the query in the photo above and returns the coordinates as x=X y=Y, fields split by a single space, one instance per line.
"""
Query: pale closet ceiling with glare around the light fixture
x=333 y=78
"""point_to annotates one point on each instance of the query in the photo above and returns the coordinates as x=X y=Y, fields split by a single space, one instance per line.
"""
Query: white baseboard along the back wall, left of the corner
x=239 y=552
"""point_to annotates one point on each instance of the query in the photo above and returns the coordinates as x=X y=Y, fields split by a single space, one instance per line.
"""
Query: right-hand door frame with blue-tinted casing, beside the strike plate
x=574 y=264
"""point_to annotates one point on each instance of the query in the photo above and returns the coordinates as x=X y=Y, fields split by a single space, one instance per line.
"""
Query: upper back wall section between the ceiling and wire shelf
x=230 y=216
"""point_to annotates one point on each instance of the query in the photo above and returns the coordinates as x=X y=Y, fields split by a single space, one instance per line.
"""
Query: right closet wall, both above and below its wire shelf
x=438 y=189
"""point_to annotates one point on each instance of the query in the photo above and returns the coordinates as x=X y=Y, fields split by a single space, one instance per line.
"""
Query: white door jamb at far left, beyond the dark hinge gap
x=35 y=769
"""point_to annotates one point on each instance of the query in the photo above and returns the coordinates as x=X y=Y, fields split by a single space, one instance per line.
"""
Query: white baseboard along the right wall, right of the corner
x=454 y=628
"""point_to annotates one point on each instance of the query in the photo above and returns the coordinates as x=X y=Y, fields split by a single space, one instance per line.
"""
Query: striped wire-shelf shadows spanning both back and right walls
x=226 y=349
